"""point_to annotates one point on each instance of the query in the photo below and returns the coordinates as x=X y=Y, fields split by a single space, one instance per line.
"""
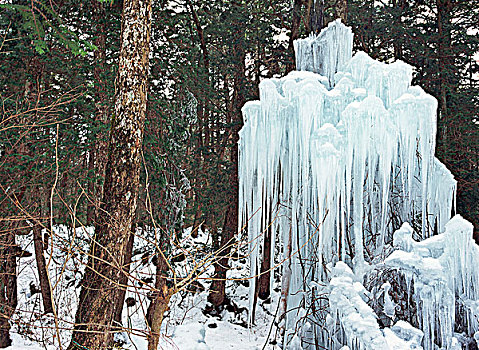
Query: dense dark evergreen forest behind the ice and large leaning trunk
x=58 y=80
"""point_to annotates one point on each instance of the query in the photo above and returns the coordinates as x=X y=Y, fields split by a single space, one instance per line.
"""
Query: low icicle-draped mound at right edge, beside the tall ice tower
x=443 y=269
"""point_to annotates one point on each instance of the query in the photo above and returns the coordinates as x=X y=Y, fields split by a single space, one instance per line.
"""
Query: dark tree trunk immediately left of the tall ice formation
x=217 y=294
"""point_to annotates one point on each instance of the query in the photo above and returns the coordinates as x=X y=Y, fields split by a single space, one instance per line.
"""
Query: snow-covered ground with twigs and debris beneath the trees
x=185 y=327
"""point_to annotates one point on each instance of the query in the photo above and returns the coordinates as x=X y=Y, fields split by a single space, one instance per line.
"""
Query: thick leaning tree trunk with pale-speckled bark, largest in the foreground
x=100 y=288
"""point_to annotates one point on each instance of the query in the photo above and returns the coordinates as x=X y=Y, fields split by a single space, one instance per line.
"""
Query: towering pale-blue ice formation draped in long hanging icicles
x=333 y=158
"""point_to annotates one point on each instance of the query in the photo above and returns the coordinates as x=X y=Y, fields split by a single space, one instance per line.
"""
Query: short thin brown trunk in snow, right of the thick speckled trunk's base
x=159 y=303
